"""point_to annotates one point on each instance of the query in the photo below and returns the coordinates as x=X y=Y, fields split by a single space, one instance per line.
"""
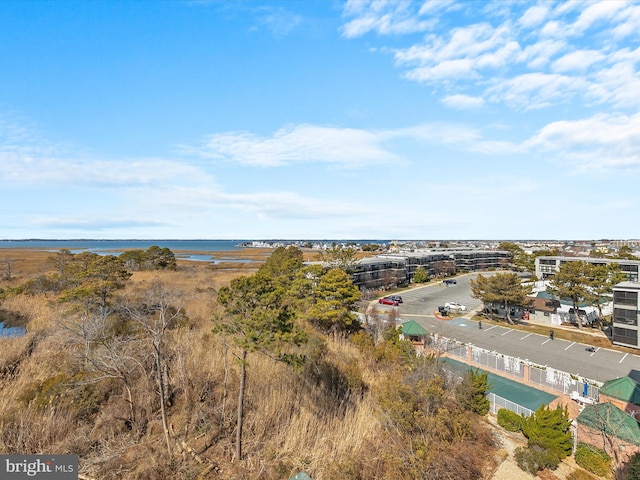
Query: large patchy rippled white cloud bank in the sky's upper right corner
x=563 y=48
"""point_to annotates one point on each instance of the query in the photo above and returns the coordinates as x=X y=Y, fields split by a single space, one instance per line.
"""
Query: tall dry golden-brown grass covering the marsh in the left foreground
x=292 y=423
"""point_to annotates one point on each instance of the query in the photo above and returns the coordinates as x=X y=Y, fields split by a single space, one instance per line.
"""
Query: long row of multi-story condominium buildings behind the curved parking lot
x=390 y=270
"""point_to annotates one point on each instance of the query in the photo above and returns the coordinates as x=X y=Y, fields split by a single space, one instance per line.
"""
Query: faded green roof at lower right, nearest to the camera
x=607 y=418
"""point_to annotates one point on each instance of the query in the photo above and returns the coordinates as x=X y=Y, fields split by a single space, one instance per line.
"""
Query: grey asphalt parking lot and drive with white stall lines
x=604 y=364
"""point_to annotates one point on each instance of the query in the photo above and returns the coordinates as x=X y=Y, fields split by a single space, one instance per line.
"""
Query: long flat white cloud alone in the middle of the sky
x=346 y=147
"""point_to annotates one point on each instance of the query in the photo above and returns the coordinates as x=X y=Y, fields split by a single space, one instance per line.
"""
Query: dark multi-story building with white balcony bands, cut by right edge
x=626 y=311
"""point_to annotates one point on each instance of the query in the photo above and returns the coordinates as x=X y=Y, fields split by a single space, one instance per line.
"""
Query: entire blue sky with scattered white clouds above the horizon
x=319 y=119
